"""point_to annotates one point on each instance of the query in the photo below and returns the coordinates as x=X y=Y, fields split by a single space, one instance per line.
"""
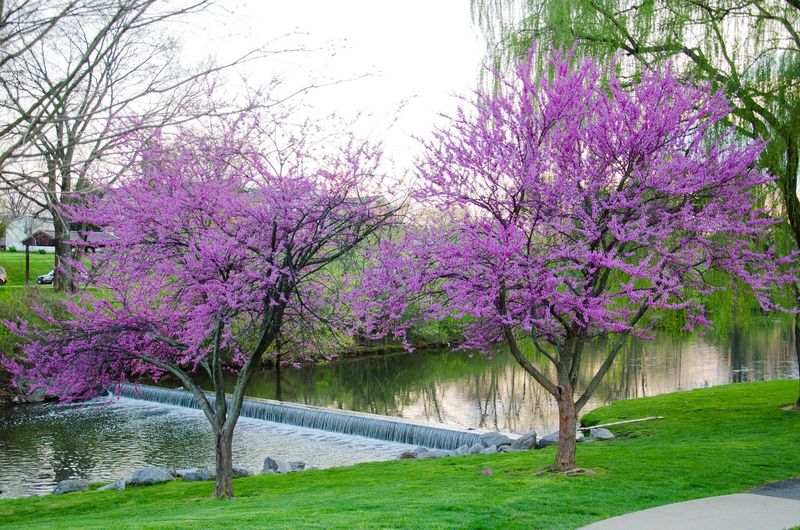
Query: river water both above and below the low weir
x=41 y=444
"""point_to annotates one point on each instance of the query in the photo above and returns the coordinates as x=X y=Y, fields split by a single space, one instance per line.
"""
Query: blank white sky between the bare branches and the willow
x=416 y=51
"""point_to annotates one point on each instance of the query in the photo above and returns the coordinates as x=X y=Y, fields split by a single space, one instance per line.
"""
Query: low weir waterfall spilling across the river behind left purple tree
x=341 y=421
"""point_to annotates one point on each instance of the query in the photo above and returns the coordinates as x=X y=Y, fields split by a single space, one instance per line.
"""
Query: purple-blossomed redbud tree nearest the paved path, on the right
x=572 y=206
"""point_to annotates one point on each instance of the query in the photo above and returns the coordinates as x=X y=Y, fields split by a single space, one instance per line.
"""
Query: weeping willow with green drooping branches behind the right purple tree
x=749 y=48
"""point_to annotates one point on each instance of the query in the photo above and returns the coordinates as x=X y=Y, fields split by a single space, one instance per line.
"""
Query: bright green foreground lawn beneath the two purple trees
x=713 y=441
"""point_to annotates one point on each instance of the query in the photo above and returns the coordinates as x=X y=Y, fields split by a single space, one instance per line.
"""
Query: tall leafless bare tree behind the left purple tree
x=81 y=76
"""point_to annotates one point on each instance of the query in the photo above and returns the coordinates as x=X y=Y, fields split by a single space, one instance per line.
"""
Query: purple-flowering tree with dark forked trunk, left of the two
x=221 y=246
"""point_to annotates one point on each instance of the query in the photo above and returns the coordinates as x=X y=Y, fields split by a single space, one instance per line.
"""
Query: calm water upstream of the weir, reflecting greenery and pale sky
x=473 y=391
